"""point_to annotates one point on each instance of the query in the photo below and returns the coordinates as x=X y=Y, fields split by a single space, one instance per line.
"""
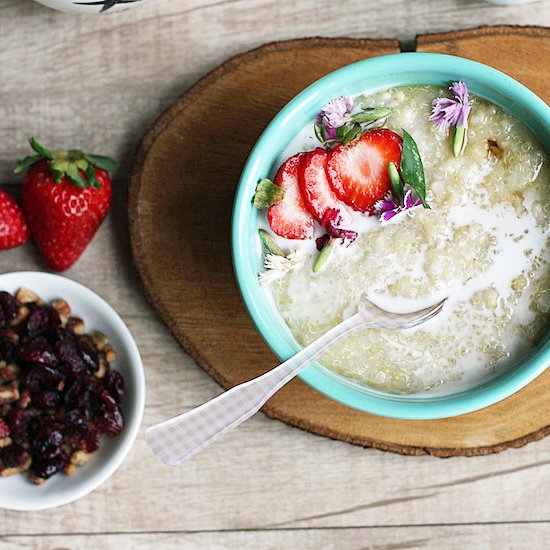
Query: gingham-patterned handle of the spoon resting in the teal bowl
x=178 y=439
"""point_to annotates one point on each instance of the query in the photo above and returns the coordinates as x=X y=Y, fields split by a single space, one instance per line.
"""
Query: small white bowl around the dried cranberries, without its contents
x=17 y=492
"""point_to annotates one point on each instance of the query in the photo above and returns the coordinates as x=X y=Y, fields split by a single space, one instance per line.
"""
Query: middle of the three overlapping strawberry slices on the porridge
x=316 y=190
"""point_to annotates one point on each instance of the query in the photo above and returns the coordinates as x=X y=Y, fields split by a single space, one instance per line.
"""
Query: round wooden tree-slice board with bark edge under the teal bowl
x=182 y=186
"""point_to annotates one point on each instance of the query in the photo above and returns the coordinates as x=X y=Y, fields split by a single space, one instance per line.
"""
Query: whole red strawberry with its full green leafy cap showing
x=66 y=196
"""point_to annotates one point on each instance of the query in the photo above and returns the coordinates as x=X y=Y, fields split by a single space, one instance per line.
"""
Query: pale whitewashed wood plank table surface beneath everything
x=98 y=83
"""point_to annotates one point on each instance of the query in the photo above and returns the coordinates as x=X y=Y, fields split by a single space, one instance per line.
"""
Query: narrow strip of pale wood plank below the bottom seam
x=508 y=536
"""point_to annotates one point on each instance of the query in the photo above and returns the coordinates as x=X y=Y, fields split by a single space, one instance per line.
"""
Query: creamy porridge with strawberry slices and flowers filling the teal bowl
x=361 y=215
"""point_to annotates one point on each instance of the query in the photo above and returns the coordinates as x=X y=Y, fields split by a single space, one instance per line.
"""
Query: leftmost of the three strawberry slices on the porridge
x=289 y=217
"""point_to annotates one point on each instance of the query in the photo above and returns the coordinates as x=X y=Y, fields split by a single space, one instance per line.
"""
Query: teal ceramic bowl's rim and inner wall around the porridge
x=374 y=74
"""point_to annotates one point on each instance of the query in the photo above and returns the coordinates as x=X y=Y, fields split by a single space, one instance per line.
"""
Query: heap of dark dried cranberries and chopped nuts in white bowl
x=62 y=406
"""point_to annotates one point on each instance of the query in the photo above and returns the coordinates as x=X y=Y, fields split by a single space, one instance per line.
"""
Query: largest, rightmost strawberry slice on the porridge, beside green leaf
x=358 y=172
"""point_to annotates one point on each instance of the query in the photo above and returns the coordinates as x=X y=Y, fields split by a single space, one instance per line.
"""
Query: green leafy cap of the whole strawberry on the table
x=73 y=165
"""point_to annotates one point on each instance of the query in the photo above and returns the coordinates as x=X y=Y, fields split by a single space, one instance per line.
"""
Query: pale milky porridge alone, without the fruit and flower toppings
x=483 y=243
